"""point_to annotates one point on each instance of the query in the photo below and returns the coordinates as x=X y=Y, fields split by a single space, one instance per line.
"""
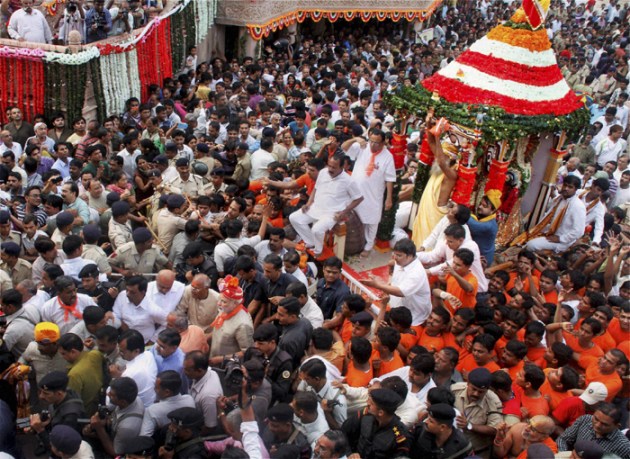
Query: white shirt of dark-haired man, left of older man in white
x=146 y=317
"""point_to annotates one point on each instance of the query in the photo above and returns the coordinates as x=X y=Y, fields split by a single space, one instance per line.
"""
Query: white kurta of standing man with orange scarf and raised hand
x=373 y=187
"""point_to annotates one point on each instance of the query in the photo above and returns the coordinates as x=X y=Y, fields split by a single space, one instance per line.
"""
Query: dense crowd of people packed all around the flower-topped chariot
x=168 y=289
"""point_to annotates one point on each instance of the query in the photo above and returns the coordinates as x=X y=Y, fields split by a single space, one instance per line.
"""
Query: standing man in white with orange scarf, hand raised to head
x=373 y=172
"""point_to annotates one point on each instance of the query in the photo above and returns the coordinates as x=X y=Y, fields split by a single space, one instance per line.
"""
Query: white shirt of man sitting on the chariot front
x=332 y=195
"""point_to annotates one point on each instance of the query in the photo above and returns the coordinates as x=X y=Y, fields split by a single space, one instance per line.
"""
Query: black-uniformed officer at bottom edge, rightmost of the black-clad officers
x=436 y=437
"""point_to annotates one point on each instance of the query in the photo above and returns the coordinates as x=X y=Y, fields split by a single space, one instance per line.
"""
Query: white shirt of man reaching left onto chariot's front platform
x=413 y=282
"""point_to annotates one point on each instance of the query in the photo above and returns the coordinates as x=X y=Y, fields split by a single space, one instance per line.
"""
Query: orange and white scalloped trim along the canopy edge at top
x=260 y=31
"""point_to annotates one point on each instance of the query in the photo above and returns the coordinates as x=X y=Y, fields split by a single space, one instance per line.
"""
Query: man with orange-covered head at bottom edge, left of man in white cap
x=513 y=441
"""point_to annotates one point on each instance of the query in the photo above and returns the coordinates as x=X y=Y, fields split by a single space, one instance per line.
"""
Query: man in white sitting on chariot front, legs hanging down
x=335 y=194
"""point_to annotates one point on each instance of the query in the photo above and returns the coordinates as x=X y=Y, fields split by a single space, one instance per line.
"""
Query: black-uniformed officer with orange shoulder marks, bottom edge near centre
x=377 y=433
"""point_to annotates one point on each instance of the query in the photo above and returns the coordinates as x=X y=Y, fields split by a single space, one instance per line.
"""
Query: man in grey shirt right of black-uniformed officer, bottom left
x=125 y=420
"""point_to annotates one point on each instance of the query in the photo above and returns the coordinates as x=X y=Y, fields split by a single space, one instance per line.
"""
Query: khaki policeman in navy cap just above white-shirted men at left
x=138 y=256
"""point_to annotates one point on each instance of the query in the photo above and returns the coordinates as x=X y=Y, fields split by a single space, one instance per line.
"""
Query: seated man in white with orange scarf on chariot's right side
x=567 y=222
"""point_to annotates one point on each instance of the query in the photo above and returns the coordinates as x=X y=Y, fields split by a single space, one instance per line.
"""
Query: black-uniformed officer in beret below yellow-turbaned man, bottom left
x=65 y=407
